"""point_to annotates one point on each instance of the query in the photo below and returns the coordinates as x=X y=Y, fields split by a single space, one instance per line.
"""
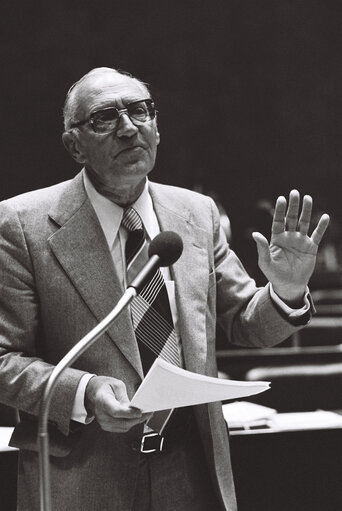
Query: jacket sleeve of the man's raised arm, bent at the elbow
x=247 y=314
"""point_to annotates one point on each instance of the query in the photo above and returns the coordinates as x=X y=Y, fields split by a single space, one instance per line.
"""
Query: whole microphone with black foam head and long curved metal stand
x=164 y=250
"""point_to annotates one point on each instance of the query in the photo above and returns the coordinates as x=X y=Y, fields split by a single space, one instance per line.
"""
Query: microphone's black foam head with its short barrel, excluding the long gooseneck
x=164 y=250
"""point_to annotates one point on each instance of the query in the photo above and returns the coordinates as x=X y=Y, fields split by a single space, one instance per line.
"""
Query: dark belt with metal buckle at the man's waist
x=177 y=433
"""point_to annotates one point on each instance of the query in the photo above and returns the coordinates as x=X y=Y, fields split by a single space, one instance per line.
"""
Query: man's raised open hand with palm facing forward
x=289 y=260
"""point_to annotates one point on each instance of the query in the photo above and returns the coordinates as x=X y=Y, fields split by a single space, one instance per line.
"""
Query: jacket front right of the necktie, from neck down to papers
x=190 y=273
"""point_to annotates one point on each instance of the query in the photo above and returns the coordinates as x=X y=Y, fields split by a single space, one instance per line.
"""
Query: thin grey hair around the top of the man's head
x=72 y=98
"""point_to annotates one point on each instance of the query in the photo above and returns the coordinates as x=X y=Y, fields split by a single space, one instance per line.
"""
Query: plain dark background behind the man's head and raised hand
x=248 y=93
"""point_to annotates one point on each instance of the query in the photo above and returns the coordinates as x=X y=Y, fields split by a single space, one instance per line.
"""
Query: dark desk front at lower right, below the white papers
x=288 y=471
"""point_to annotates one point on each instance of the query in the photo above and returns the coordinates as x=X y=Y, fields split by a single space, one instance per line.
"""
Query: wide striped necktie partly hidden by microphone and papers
x=150 y=310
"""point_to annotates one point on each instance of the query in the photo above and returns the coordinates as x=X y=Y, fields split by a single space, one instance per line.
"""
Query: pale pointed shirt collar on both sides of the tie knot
x=110 y=214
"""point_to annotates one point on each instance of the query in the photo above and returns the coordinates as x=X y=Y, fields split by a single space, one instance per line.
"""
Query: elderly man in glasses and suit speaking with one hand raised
x=66 y=254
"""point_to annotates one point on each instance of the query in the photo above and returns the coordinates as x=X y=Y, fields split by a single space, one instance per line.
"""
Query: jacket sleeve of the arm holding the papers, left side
x=23 y=373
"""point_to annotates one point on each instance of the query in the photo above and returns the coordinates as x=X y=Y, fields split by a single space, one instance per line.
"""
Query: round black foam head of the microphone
x=168 y=245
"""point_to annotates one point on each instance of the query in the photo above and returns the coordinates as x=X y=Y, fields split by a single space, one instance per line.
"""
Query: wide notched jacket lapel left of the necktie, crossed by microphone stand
x=81 y=248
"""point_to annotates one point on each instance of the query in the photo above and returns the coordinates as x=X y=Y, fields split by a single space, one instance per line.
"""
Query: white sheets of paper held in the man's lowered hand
x=167 y=386
